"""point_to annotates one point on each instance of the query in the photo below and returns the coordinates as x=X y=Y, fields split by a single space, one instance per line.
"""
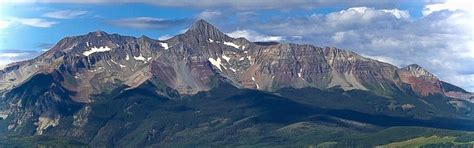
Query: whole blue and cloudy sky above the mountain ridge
x=434 y=34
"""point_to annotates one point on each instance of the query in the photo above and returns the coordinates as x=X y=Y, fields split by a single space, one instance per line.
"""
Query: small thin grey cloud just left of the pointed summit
x=148 y=23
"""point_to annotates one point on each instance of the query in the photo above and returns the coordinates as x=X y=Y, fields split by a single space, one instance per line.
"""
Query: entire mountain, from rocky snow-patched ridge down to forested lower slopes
x=204 y=88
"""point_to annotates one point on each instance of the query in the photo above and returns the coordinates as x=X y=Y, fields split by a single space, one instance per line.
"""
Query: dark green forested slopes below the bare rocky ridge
x=231 y=116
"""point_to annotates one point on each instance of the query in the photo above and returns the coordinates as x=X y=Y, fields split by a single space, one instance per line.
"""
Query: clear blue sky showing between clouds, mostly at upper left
x=97 y=16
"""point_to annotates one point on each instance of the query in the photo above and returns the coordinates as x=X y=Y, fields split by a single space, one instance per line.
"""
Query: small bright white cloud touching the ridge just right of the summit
x=254 y=36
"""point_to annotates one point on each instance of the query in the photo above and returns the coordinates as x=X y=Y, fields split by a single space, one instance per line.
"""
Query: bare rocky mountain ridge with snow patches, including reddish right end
x=65 y=80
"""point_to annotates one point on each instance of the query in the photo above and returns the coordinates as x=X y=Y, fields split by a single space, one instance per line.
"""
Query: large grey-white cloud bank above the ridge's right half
x=440 y=41
